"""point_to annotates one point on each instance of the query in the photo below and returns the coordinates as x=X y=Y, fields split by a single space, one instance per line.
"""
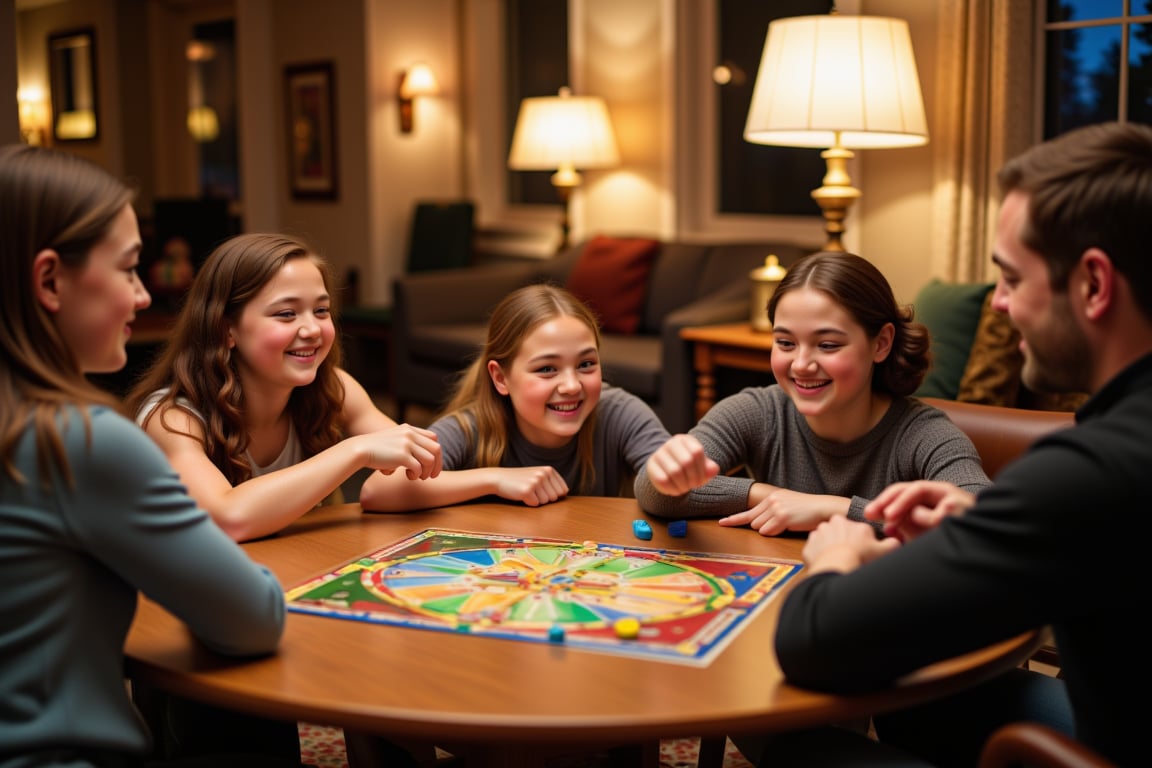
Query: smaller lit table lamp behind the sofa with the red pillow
x=564 y=133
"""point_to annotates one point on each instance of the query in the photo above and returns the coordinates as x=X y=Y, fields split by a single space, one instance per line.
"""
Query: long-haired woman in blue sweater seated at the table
x=92 y=513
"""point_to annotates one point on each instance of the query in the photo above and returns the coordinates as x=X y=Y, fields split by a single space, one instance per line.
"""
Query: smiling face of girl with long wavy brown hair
x=286 y=331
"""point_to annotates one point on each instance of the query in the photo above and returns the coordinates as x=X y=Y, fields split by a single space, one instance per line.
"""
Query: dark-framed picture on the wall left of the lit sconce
x=312 y=119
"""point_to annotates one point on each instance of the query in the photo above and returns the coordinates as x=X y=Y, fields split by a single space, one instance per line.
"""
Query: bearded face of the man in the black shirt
x=1057 y=353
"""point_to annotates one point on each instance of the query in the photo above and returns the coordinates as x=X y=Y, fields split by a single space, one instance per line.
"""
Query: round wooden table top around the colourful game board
x=445 y=687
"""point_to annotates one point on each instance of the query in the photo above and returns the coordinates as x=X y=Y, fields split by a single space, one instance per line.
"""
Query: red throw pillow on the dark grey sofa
x=611 y=277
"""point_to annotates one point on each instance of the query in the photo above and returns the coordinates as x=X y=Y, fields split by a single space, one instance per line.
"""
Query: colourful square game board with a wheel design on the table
x=688 y=605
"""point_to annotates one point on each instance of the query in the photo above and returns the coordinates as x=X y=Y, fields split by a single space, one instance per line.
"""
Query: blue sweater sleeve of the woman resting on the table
x=132 y=512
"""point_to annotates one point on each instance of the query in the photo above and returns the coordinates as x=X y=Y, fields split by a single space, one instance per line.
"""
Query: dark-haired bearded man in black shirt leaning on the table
x=1062 y=537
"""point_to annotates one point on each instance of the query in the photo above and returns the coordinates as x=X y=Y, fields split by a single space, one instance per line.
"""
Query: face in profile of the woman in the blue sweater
x=97 y=302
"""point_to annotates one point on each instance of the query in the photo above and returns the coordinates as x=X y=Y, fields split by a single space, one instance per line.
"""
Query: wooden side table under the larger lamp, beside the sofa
x=736 y=346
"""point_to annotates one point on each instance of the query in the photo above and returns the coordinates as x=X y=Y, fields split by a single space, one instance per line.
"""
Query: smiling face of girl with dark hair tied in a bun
x=823 y=359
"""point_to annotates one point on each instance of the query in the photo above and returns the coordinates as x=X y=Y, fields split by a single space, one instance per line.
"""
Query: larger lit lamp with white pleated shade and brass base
x=838 y=82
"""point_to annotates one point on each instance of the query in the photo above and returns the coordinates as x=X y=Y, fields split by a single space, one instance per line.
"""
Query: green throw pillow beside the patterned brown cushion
x=952 y=313
